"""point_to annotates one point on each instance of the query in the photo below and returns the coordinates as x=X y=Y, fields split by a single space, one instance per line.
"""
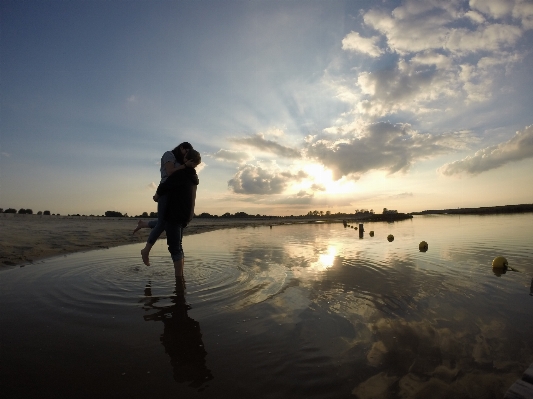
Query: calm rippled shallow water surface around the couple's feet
x=297 y=311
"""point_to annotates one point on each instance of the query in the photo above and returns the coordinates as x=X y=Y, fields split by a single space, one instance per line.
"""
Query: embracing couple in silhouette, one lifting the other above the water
x=175 y=197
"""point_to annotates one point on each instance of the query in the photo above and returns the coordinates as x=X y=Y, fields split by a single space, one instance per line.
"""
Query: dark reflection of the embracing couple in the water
x=181 y=337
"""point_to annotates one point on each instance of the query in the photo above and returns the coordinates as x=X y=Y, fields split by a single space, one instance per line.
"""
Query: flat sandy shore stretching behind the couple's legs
x=28 y=238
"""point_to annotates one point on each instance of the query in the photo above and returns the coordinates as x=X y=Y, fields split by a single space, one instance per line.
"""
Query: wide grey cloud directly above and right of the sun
x=381 y=146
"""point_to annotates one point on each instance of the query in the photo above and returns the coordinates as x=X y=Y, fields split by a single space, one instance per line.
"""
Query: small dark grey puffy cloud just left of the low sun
x=251 y=179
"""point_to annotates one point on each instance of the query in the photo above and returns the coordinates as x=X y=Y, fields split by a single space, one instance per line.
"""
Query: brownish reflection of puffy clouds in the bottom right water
x=415 y=359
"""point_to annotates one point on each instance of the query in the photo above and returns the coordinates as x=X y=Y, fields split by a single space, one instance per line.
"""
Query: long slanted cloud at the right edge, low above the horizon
x=519 y=147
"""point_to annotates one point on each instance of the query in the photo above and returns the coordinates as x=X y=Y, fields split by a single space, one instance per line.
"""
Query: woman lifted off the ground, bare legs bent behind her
x=171 y=161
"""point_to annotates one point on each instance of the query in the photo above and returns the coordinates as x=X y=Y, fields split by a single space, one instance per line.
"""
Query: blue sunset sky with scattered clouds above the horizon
x=294 y=105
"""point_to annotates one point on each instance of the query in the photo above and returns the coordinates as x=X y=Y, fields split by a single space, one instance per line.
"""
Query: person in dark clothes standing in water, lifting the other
x=180 y=189
